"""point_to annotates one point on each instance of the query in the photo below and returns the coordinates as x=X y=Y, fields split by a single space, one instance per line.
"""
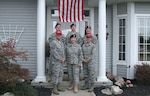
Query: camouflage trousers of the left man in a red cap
x=57 y=73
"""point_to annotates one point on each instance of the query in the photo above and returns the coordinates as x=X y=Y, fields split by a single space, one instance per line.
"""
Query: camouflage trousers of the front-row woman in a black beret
x=73 y=71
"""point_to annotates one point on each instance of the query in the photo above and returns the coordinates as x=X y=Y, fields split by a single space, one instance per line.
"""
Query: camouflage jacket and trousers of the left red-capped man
x=57 y=52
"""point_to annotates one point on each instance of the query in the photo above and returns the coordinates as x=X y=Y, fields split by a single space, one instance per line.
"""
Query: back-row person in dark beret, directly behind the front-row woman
x=73 y=31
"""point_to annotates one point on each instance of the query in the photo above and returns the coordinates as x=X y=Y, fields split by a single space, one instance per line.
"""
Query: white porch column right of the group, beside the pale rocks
x=102 y=41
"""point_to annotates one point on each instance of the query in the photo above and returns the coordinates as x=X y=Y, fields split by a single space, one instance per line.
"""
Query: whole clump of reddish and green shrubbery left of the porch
x=13 y=78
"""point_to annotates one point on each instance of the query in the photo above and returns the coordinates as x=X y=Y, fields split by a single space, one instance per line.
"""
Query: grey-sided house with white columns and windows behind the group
x=128 y=25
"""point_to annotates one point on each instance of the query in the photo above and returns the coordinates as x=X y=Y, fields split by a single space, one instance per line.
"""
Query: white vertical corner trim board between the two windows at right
x=132 y=52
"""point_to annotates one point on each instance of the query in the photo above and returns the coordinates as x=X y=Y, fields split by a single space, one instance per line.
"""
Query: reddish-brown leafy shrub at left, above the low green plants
x=10 y=73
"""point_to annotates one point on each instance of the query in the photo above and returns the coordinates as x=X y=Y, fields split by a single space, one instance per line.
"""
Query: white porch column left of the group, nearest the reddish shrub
x=40 y=42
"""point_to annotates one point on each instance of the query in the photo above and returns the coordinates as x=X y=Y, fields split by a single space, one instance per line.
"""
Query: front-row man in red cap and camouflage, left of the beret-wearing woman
x=57 y=60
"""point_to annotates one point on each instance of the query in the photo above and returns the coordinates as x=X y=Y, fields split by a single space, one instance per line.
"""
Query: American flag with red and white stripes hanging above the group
x=71 y=10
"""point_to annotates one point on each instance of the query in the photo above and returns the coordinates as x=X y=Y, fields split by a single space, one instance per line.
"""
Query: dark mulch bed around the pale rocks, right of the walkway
x=137 y=90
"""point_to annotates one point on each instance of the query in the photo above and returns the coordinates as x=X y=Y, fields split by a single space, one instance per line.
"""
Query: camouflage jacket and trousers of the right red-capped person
x=89 y=68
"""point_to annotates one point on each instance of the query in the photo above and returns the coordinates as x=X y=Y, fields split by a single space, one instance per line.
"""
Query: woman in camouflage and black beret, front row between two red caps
x=74 y=59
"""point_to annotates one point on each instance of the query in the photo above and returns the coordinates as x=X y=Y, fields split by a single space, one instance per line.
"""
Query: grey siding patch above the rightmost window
x=142 y=8
